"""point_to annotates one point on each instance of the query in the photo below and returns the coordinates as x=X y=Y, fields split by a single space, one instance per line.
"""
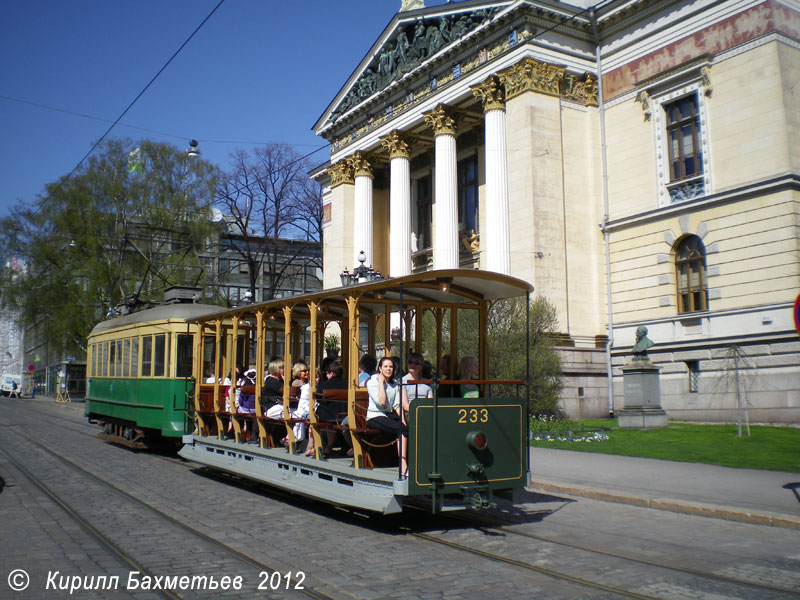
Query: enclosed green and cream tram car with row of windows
x=139 y=375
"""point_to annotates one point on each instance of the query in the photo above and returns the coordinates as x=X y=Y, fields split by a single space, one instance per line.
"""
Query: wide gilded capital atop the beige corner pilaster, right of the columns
x=530 y=75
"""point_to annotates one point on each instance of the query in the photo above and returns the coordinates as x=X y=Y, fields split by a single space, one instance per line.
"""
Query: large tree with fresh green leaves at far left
x=117 y=232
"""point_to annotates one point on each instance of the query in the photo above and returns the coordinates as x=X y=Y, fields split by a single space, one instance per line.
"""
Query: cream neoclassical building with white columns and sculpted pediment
x=637 y=161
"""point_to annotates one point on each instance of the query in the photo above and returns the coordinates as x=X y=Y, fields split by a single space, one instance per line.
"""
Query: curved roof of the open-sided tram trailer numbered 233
x=464 y=287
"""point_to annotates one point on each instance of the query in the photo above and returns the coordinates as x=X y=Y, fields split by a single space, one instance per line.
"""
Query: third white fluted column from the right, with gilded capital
x=399 y=204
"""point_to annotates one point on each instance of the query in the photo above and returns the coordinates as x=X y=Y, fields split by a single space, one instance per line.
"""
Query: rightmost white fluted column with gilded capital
x=496 y=237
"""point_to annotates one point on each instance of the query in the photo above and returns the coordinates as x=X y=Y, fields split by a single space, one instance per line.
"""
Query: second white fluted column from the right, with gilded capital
x=445 y=218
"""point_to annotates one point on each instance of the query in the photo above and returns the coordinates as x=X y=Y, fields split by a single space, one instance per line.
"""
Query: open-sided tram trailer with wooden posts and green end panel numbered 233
x=462 y=451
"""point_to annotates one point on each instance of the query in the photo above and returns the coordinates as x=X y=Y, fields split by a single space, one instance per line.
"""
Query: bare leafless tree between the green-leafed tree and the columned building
x=275 y=213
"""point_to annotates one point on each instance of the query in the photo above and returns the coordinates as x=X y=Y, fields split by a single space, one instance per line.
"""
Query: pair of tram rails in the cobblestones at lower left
x=126 y=557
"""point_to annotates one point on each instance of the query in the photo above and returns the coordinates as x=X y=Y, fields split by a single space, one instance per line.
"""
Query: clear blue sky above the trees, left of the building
x=258 y=71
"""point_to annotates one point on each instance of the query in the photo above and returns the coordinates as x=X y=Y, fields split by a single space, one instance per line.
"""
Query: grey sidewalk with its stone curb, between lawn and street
x=746 y=495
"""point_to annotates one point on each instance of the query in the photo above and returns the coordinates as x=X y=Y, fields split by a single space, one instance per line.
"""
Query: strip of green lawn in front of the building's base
x=769 y=448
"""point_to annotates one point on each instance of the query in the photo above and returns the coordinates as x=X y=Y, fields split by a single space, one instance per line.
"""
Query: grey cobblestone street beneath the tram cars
x=341 y=555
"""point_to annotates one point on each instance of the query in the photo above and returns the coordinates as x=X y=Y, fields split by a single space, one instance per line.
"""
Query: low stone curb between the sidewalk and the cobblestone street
x=676 y=506
